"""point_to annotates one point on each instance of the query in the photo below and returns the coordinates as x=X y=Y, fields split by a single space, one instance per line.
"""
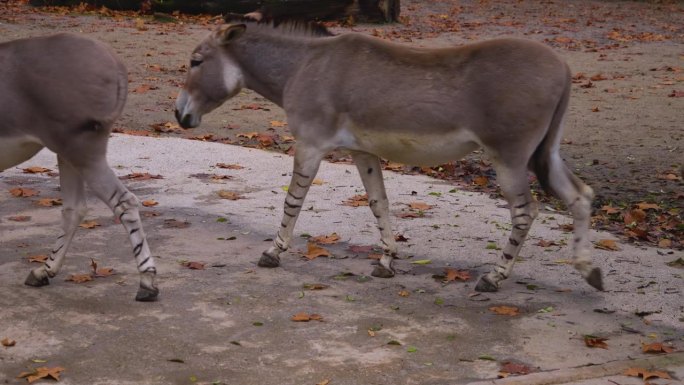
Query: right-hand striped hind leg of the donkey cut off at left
x=104 y=183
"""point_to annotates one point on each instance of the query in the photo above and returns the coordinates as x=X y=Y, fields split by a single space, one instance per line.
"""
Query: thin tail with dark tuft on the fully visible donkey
x=546 y=154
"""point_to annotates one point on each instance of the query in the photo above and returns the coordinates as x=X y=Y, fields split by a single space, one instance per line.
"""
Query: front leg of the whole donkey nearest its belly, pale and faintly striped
x=370 y=171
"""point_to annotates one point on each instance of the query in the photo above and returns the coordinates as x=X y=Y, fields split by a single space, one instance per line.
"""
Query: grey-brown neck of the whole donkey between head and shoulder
x=268 y=62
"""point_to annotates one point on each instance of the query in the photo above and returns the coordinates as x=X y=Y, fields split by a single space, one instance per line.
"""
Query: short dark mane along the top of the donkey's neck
x=292 y=27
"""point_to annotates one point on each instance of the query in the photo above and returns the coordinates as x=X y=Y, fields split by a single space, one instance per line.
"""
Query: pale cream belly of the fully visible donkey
x=421 y=149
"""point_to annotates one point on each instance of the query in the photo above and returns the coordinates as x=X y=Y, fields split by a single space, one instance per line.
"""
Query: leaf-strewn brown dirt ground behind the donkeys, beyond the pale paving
x=623 y=132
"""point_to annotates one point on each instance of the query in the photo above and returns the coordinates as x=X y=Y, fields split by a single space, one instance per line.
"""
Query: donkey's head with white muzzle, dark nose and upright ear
x=213 y=77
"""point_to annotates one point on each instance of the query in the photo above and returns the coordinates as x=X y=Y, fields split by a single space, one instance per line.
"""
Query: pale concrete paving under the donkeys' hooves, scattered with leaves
x=231 y=322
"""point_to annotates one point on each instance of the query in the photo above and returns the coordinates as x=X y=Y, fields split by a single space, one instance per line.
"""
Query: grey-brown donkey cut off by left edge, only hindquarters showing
x=64 y=92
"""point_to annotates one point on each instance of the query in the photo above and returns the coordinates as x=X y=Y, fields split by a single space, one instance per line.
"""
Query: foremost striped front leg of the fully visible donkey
x=307 y=159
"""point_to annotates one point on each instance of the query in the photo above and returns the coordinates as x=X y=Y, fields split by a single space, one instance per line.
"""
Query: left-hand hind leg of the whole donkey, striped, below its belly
x=523 y=209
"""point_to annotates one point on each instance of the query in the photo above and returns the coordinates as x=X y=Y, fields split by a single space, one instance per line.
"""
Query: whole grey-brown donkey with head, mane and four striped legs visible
x=411 y=105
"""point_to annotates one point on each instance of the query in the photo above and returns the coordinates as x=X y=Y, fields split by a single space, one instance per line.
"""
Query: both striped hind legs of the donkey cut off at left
x=104 y=183
